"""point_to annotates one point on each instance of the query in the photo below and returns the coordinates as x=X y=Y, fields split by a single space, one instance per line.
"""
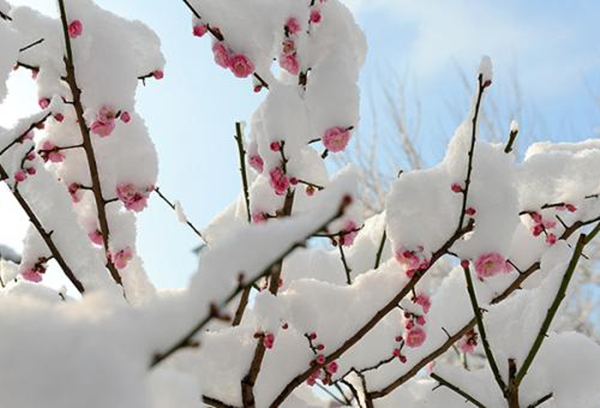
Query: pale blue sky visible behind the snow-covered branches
x=552 y=46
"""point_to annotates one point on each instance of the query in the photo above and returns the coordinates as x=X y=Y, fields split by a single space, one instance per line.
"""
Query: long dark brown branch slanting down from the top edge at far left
x=87 y=142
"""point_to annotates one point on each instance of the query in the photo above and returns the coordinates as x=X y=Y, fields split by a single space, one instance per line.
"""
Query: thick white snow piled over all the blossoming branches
x=65 y=349
